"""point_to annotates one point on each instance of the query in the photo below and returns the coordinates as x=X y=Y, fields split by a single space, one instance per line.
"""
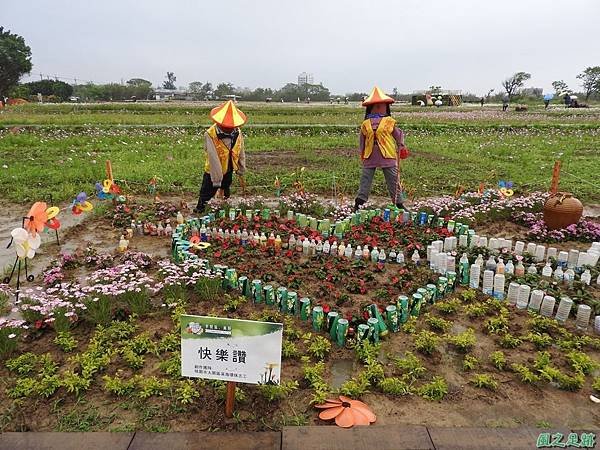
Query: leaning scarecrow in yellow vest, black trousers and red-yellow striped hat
x=225 y=154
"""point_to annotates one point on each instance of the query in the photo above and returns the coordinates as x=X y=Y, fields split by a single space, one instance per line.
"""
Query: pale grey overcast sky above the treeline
x=349 y=45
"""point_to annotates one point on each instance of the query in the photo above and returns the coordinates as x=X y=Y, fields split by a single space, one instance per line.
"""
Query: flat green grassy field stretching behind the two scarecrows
x=62 y=148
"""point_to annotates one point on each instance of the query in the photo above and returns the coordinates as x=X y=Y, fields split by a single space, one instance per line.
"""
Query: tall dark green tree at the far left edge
x=15 y=60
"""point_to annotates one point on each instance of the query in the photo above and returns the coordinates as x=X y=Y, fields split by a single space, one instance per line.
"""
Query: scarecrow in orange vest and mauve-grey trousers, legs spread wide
x=381 y=146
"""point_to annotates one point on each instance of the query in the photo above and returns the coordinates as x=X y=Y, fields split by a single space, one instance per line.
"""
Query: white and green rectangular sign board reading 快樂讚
x=243 y=351
